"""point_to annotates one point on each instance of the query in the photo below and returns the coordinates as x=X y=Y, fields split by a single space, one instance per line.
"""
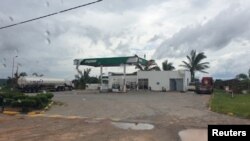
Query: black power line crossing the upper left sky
x=52 y=14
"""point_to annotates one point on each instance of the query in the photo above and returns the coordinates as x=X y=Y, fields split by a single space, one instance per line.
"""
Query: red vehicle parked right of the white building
x=206 y=86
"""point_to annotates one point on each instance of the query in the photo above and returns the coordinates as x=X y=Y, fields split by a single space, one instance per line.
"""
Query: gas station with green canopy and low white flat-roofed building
x=153 y=80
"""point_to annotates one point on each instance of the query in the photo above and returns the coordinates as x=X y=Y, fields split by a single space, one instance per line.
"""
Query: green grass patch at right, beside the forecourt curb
x=239 y=105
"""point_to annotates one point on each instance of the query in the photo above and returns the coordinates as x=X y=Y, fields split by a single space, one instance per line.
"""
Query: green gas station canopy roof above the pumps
x=111 y=61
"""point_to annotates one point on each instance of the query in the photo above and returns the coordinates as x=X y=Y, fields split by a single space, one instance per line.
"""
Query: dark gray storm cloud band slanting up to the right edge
x=229 y=25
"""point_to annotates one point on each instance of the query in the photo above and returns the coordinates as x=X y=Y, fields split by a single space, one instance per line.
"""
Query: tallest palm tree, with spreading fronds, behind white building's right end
x=194 y=63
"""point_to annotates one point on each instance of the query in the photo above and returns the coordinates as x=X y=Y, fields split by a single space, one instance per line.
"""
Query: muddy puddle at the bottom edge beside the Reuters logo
x=193 y=135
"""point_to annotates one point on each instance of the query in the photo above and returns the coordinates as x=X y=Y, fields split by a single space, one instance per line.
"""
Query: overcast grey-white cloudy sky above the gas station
x=161 y=29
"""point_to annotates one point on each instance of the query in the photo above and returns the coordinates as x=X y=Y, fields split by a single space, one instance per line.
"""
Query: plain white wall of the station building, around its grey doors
x=163 y=78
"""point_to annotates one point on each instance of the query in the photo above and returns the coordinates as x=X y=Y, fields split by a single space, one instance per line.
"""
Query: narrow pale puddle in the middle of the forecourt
x=133 y=126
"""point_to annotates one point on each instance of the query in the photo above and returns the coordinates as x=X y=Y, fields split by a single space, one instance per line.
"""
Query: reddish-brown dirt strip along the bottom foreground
x=20 y=128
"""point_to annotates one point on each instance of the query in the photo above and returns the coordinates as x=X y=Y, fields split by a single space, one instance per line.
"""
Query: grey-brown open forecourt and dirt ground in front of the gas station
x=88 y=116
